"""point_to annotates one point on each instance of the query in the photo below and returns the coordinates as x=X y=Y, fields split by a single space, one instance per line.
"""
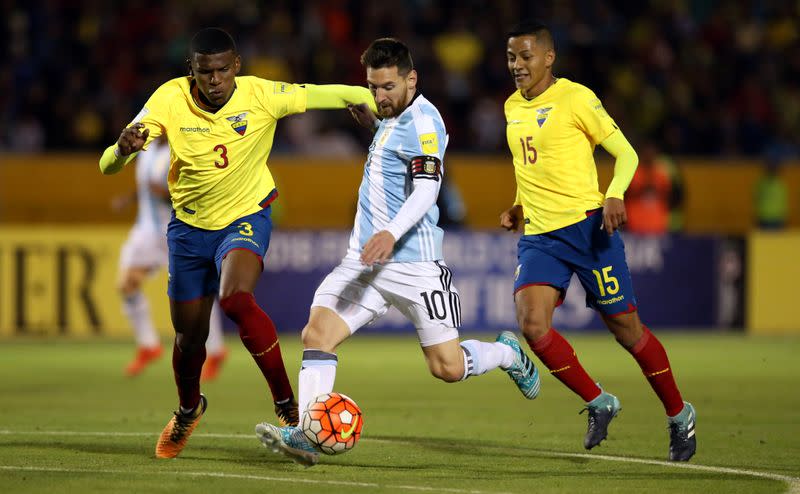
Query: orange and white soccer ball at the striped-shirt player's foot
x=332 y=423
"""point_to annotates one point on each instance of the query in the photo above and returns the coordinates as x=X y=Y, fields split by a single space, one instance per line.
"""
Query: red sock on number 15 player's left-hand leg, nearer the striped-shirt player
x=559 y=356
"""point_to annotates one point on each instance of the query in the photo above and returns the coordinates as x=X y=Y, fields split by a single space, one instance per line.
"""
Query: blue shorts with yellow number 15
x=586 y=250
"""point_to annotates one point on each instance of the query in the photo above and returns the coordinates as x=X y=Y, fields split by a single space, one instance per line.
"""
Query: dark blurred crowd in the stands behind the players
x=704 y=78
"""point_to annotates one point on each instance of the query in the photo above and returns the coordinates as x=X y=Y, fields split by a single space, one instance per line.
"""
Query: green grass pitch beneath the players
x=70 y=422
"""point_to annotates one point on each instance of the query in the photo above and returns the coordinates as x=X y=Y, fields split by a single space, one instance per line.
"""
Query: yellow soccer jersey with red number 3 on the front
x=218 y=171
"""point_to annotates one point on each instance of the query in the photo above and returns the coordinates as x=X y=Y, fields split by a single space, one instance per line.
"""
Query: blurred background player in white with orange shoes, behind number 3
x=145 y=252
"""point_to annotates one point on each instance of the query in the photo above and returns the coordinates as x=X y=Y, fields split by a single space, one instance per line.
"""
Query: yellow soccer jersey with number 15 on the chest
x=552 y=139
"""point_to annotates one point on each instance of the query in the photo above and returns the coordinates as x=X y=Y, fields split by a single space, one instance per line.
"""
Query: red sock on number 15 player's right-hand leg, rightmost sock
x=652 y=358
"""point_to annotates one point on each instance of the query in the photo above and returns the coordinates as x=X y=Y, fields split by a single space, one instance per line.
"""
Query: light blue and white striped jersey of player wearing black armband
x=418 y=131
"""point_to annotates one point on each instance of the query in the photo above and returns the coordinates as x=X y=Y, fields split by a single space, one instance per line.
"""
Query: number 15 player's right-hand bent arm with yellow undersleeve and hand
x=614 y=214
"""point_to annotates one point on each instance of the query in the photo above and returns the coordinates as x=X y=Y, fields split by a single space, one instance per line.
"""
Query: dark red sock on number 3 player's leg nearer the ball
x=259 y=336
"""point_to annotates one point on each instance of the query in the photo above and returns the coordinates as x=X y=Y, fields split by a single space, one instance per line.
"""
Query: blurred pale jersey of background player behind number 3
x=152 y=168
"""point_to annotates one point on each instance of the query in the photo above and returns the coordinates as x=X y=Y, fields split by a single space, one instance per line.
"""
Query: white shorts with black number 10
x=421 y=291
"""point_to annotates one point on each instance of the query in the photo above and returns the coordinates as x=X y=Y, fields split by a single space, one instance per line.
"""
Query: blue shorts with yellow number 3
x=195 y=255
